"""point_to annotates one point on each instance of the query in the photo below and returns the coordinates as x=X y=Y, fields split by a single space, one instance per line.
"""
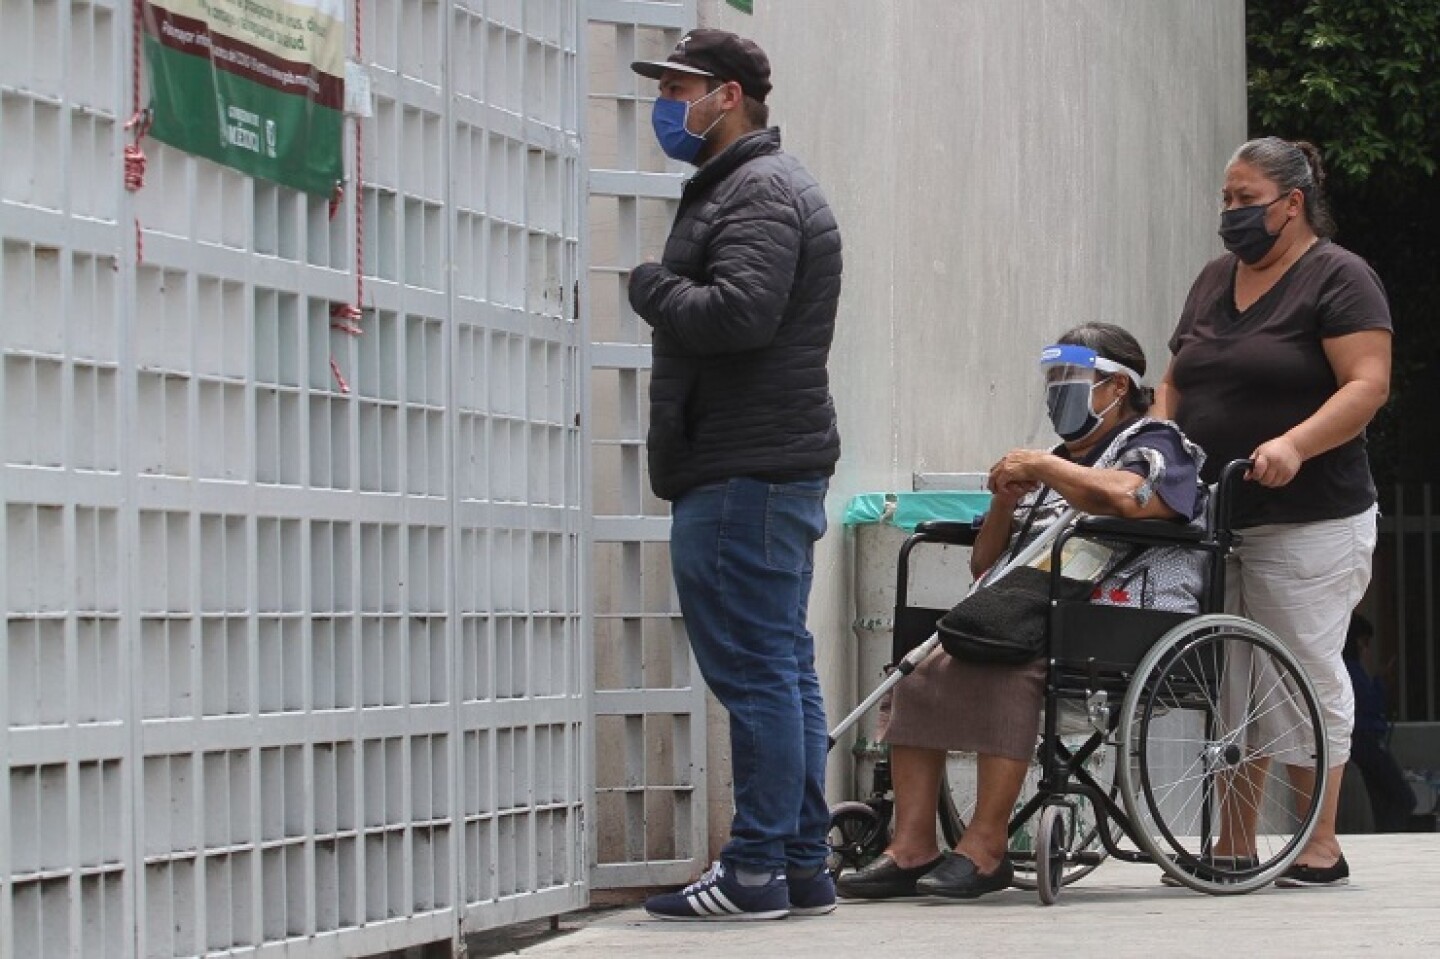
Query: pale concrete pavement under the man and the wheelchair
x=1392 y=908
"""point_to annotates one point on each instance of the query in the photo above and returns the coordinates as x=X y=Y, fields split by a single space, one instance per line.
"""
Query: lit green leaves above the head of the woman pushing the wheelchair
x=1359 y=77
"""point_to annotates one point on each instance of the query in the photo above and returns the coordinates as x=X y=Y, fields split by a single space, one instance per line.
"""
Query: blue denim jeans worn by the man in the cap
x=744 y=555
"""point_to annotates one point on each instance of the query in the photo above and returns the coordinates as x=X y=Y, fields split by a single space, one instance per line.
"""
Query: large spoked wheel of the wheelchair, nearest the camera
x=1222 y=731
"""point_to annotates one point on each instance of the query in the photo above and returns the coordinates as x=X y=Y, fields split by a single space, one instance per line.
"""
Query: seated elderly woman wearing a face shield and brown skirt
x=1114 y=462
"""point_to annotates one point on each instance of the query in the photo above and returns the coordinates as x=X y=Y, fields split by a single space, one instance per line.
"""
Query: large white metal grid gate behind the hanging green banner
x=293 y=669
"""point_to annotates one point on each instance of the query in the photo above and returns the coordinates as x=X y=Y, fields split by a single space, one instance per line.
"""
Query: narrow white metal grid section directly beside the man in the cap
x=650 y=800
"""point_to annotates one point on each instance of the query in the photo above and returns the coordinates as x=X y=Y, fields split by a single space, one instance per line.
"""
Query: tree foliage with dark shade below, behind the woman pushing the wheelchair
x=1362 y=80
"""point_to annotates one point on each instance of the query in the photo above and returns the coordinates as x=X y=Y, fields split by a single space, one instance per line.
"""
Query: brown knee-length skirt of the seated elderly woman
x=971 y=708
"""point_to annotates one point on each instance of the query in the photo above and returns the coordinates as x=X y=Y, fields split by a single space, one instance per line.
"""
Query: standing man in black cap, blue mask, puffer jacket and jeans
x=742 y=441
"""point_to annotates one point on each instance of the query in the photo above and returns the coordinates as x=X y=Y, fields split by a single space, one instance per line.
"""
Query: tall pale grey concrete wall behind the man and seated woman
x=1002 y=172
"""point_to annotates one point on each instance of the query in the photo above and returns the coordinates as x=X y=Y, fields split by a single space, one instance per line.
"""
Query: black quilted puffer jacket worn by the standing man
x=744 y=315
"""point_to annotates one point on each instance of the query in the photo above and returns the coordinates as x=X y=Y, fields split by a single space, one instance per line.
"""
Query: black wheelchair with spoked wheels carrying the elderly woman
x=1157 y=728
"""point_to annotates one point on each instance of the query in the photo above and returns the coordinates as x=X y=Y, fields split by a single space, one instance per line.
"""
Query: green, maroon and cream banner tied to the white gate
x=257 y=86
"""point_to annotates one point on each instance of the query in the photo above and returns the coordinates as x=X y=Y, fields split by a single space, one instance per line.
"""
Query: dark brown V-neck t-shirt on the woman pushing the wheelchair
x=1246 y=378
